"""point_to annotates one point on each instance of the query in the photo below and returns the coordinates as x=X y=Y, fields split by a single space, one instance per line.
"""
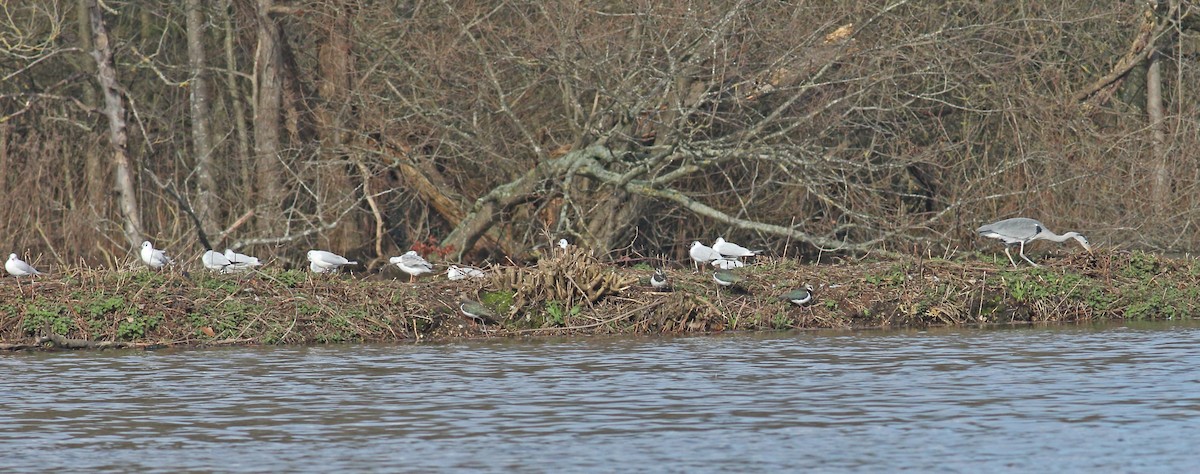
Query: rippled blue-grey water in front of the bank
x=1067 y=399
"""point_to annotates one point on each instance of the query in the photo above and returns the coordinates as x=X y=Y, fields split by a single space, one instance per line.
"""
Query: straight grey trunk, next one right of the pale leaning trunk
x=202 y=141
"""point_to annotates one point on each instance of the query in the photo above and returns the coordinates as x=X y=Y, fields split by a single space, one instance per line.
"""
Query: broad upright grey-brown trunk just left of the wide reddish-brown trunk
x=267 y=122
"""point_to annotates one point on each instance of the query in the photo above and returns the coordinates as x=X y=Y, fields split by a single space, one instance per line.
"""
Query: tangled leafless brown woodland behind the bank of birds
x=484 y=130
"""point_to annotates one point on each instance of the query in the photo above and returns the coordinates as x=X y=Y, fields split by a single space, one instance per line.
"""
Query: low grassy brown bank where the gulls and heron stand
x=573 y=293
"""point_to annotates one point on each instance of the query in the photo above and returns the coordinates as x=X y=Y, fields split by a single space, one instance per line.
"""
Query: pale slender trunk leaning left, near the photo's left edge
x=115 y=110
